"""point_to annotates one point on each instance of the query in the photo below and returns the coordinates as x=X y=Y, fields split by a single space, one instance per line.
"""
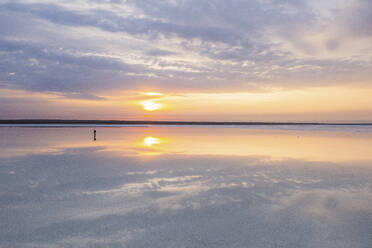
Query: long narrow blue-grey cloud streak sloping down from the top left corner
x=111 y=22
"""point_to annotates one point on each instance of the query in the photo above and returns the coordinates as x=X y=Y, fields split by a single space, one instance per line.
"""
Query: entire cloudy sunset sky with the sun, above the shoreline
x=237 y=60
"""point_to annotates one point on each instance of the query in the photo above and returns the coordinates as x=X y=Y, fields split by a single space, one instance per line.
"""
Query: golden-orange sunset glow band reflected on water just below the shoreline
x=335 y=145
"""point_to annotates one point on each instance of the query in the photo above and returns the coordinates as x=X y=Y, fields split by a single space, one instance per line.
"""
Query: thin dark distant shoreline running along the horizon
x=141 y=122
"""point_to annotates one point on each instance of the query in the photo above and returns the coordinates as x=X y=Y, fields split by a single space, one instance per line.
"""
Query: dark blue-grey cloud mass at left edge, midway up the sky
x=45 y=69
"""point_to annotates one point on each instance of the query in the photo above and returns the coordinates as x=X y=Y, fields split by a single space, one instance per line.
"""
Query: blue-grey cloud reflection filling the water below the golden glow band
x=87 y=197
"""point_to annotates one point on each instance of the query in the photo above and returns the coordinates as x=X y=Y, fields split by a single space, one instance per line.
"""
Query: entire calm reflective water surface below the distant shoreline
x=186 y=187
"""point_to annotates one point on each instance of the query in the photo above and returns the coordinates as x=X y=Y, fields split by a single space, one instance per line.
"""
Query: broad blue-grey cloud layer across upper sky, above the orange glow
x=81 y=49
